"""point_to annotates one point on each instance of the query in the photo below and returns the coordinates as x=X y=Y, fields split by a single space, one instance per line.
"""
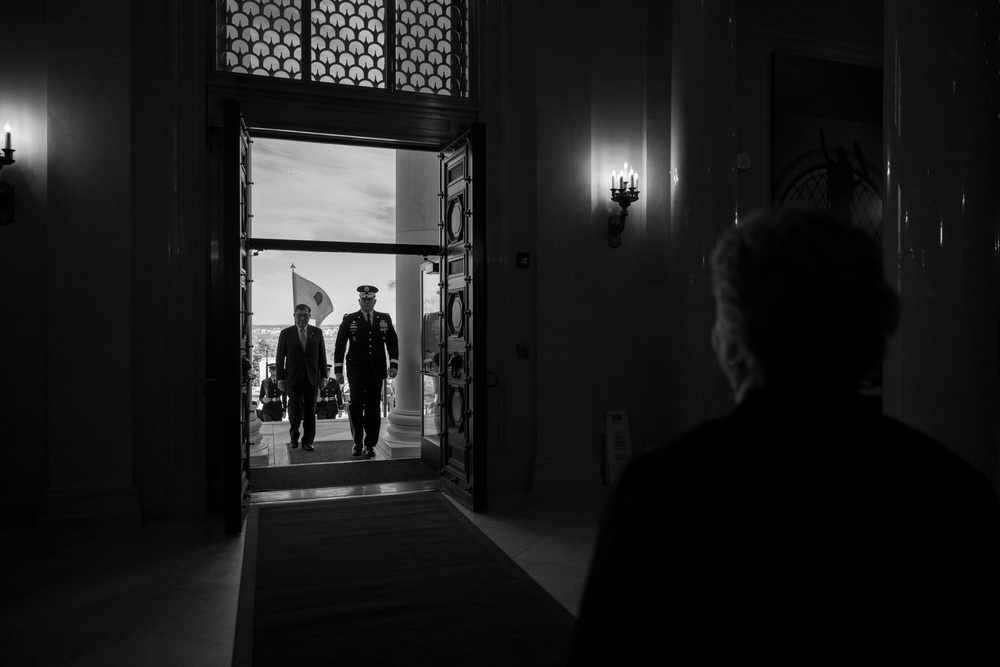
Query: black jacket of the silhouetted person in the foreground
x=800 y=528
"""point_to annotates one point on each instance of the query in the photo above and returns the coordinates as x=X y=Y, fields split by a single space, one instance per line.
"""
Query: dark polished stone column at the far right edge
x=941 y=225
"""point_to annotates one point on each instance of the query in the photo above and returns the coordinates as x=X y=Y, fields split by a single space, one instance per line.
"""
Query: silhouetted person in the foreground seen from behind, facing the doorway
x=804 y=527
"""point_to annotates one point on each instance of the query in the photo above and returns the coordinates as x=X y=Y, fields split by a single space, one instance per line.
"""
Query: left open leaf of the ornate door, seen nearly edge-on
x=229 y=351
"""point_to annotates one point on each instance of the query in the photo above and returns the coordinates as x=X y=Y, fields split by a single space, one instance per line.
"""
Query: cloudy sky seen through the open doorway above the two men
x=321 y=192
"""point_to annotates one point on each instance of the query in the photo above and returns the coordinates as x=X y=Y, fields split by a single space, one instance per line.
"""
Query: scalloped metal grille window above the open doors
x=348 y=42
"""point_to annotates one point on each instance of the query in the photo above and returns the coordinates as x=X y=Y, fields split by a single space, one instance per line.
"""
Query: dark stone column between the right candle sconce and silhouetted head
x=703 y=201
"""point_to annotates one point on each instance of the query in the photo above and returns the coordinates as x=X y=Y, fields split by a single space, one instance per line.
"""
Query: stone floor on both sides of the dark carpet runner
x=165 y=593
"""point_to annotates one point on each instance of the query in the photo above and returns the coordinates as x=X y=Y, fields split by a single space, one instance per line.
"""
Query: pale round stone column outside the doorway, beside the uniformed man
x=417 y=216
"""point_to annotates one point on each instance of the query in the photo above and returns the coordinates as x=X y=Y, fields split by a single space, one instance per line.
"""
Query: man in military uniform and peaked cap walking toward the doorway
x=371 y=334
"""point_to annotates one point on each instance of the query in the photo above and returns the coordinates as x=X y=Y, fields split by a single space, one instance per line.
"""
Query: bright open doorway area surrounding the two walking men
x=327 y=218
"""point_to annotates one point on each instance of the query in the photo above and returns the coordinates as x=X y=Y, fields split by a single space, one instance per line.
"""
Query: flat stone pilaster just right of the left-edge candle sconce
x=90 y=475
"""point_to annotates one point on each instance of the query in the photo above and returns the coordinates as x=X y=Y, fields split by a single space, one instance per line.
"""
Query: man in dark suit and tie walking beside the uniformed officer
x=301 y=368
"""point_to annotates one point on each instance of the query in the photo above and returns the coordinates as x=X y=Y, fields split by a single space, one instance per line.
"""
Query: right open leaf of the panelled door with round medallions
x=462 y=404
